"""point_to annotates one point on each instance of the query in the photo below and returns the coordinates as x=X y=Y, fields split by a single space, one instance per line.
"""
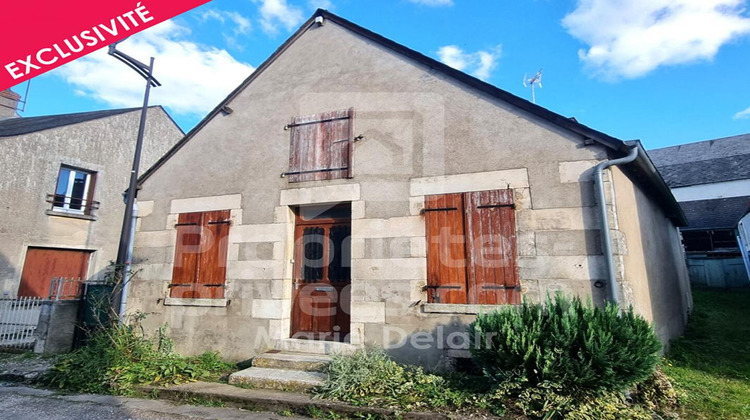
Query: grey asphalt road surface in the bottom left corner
x=24 y=403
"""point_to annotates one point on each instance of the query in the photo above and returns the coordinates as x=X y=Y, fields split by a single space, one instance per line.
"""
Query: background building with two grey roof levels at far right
x=711 y=181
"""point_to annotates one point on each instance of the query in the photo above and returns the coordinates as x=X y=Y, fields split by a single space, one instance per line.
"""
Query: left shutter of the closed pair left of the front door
x=186 y=256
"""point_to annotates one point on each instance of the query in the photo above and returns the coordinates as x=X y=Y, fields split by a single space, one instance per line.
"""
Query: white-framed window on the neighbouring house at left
x=74 y=190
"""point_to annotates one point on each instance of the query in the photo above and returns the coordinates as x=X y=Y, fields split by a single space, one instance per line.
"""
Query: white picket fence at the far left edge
x=18 y=321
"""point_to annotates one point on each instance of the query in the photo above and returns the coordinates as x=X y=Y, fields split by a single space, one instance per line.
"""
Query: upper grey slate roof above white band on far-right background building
x=705 y=162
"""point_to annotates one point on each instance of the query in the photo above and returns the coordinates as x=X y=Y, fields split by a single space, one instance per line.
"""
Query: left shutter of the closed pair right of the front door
x=446 y=252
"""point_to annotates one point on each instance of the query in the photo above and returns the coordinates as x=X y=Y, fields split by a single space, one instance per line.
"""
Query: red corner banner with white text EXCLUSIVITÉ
x=38 y=36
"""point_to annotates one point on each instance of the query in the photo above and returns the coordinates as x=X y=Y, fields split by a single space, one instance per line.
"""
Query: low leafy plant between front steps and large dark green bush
x=370 y=378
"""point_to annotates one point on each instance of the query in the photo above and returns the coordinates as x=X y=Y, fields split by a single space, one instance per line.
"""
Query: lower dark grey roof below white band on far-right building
x=723 y=213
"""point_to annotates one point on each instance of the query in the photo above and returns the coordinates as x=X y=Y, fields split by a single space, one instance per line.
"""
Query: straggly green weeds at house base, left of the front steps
x=117 y=358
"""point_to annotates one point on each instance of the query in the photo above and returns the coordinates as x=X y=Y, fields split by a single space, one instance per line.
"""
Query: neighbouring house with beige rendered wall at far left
x=61 y=187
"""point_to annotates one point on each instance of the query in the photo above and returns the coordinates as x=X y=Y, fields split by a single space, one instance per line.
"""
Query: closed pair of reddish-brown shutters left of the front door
x=200 y=262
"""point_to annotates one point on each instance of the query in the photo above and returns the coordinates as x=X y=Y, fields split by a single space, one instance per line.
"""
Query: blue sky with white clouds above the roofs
x=663 y=71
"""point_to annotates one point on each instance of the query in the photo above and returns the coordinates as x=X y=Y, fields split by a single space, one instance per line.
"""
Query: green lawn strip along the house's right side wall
x=710 y=365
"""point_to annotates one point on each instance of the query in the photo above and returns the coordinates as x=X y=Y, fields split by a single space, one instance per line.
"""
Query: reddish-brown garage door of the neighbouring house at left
x=42 y=264
